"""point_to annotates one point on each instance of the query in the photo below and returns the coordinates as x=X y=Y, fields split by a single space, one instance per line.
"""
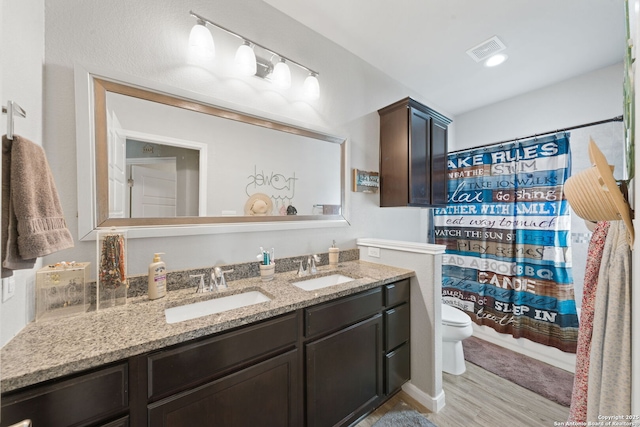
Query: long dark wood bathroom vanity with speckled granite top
x=322 y=357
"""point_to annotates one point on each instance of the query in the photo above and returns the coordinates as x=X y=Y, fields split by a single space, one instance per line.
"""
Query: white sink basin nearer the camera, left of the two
x=214 y=305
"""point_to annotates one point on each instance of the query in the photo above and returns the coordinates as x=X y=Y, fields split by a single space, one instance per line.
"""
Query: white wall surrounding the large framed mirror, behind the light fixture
x=148 y=39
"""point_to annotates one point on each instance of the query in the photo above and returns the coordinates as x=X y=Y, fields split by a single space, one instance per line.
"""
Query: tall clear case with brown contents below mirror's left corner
x=112 y=283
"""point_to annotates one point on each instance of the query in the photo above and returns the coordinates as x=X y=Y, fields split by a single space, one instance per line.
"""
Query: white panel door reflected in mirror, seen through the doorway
x=153 y=191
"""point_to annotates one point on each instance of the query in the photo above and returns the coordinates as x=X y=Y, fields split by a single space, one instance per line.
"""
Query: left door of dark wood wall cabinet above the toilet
x=420 y=158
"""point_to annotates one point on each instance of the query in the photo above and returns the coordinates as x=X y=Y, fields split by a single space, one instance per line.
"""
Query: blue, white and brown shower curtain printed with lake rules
x=506 y=228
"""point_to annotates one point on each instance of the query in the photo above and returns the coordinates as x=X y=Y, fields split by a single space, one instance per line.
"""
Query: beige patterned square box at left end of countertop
x=61 y=290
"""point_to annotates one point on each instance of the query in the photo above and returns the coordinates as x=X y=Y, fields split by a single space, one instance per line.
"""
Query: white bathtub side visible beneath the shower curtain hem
x=550 y=355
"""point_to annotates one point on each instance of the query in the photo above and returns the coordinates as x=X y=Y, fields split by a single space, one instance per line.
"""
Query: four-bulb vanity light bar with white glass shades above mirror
x=250 y=64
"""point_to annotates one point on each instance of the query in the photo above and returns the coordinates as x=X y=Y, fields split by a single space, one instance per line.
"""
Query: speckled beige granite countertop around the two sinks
x=50 y=349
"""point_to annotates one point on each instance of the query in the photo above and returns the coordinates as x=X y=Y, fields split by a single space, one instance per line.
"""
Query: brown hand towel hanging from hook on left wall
x=32 y=216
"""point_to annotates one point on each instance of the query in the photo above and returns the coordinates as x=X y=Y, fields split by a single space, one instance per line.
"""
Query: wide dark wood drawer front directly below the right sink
x=337 y=314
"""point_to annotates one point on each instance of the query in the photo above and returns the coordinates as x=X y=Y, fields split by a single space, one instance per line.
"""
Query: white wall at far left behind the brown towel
x=22 y=56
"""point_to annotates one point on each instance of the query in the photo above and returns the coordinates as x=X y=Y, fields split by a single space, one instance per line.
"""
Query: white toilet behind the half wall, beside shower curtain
x=456 y=326
